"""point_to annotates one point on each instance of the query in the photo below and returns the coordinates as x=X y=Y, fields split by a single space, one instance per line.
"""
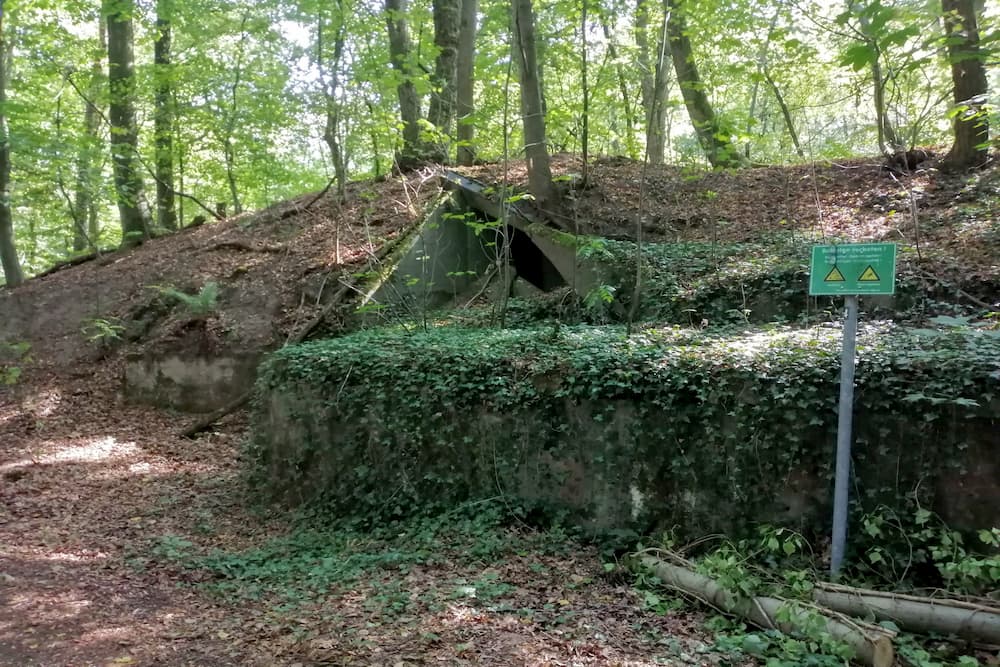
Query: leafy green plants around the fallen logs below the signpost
x=781 y=563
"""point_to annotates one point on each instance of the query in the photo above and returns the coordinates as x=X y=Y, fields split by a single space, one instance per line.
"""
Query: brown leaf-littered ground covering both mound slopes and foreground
x=118 y=538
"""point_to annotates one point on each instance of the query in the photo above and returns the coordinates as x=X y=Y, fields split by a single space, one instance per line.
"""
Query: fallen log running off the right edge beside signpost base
x=968 y=620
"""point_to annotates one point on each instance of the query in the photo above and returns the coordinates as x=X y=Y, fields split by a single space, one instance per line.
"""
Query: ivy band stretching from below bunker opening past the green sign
x=709 y=284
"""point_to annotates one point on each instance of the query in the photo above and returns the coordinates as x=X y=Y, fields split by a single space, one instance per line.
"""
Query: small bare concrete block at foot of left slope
x=189 y=381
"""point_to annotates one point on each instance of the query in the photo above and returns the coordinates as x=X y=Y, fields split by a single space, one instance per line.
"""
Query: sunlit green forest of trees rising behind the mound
x=124 y=120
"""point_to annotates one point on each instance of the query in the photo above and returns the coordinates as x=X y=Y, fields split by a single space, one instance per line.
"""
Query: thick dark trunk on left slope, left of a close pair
x=124 y=130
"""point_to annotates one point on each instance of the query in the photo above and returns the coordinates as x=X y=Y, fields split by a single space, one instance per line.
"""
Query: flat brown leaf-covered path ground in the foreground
x=94 y=494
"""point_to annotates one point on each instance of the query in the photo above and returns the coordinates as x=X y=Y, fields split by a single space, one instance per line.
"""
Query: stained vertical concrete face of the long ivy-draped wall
x=604 y=467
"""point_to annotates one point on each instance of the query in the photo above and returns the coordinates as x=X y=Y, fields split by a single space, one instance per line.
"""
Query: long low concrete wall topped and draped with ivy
x=669 y=427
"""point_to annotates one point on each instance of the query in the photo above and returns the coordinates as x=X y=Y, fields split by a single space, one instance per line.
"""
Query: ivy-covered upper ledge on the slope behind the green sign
x=717 y=283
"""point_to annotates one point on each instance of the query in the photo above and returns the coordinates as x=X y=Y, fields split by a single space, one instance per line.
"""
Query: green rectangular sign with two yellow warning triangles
x=853 y=268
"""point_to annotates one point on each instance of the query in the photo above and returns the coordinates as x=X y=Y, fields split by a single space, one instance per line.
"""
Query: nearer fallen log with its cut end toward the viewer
x=872 y=645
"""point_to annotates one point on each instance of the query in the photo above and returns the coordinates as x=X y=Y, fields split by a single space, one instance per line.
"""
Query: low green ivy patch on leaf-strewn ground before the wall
x=319 y=557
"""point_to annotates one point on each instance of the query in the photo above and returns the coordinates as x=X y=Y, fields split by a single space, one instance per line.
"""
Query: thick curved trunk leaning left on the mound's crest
x=711 y=135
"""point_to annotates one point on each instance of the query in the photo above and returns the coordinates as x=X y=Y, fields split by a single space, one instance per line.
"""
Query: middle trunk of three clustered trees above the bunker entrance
x=447 y=19
